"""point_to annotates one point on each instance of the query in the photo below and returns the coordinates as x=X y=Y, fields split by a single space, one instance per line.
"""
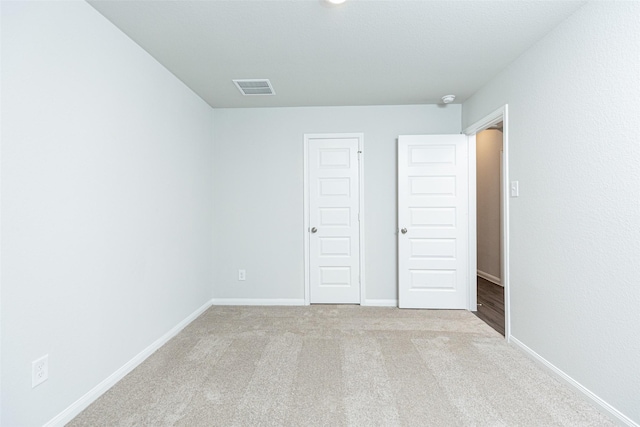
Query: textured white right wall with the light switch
x=574 y=104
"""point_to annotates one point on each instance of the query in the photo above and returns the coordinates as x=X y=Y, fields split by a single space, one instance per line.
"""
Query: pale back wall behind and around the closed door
x=258 y=171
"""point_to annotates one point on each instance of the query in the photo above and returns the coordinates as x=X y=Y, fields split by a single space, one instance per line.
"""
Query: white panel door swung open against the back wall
x=433 y=200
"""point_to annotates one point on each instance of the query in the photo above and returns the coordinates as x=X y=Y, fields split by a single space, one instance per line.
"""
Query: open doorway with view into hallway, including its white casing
x=489 y=273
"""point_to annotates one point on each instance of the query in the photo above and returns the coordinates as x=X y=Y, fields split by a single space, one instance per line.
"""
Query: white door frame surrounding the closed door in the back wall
x=307 y=137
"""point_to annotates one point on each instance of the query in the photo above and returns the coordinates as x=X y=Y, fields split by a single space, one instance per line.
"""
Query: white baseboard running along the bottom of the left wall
x=81 y=404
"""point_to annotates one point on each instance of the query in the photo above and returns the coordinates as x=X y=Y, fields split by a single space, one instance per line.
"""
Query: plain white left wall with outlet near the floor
x=106 y=203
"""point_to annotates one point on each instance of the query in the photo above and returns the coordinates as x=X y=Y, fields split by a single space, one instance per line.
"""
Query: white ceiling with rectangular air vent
x=364 y=52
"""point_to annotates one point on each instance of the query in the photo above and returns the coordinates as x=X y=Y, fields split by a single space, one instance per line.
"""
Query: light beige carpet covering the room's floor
x=338 y=366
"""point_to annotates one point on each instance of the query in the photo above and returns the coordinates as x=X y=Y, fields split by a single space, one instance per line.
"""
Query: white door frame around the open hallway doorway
x=501 y=114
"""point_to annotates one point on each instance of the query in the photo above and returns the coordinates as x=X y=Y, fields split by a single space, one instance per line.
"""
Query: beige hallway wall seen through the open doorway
x=488 y=148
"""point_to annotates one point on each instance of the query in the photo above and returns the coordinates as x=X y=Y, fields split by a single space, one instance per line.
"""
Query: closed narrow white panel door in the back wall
x=334 y=200
